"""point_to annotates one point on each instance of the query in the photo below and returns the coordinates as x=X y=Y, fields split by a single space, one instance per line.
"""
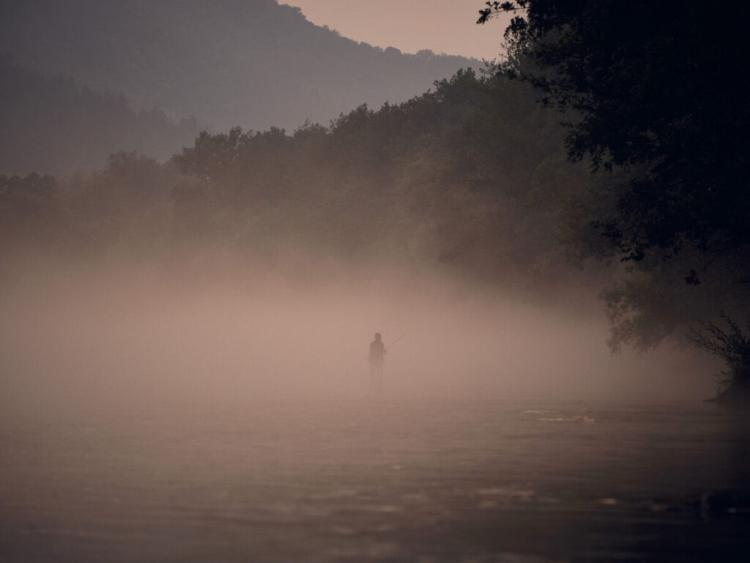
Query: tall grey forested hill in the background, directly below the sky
x=252 y=63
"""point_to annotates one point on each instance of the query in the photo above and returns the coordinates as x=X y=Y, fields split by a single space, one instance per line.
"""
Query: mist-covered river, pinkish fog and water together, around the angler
x=158 y=418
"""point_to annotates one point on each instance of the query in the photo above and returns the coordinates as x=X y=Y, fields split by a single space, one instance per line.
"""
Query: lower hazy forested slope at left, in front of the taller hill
x=52 y=124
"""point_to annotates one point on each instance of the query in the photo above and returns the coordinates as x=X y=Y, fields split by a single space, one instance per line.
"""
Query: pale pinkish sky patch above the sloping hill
x=444 y=26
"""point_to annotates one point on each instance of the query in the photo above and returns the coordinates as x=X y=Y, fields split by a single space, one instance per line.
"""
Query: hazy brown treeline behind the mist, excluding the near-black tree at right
x=470 y=176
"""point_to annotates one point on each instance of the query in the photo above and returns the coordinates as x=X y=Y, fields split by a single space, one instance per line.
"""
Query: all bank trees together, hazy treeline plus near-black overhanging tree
x=478 y=177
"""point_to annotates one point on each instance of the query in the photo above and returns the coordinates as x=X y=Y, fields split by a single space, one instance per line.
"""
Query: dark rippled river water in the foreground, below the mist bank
x=390 y=480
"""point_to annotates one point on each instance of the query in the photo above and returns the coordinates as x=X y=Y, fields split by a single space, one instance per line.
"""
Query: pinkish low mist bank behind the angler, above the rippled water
x=137 y=334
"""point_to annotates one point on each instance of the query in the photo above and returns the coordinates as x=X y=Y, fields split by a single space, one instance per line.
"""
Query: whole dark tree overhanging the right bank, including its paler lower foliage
x=653 y=94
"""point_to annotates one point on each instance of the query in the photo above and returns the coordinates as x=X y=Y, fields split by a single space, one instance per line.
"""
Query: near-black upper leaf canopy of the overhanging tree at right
x=654 y=87
